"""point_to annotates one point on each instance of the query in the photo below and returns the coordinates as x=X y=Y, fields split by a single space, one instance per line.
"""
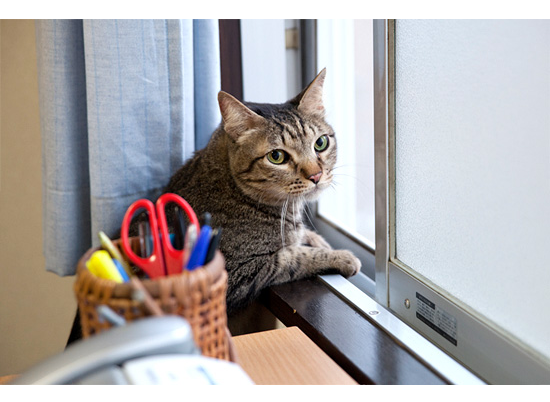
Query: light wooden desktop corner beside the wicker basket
x=287 y=357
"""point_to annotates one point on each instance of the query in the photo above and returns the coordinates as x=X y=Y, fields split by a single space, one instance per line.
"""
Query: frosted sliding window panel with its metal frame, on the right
x=463 y=117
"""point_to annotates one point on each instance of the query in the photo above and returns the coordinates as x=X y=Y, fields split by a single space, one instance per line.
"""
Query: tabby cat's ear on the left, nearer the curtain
x=237 y=118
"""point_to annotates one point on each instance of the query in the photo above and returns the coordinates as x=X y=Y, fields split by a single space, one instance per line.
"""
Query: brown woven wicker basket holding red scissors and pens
x=198 y=296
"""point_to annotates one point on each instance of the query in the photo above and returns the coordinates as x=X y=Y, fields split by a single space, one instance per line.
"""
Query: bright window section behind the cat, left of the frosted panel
x=291 y=53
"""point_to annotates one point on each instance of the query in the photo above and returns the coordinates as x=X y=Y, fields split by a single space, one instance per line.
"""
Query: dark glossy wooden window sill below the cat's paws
x=356 y=343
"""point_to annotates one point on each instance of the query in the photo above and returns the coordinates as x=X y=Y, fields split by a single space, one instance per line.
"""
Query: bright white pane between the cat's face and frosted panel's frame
x=344 y=47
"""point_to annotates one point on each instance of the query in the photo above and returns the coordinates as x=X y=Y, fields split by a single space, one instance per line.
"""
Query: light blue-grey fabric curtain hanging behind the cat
x=123 y=104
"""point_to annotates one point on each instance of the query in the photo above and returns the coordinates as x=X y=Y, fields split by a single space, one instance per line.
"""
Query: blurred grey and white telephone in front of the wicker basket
x=153 y=350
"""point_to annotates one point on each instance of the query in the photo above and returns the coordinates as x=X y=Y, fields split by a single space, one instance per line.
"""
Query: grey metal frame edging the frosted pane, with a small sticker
x=488 y=352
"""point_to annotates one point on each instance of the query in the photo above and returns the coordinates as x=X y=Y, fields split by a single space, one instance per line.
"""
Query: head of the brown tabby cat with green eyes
x=280 y=152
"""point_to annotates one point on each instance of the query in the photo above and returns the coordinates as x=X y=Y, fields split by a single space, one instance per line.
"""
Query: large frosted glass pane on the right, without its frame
x=472 y=191
